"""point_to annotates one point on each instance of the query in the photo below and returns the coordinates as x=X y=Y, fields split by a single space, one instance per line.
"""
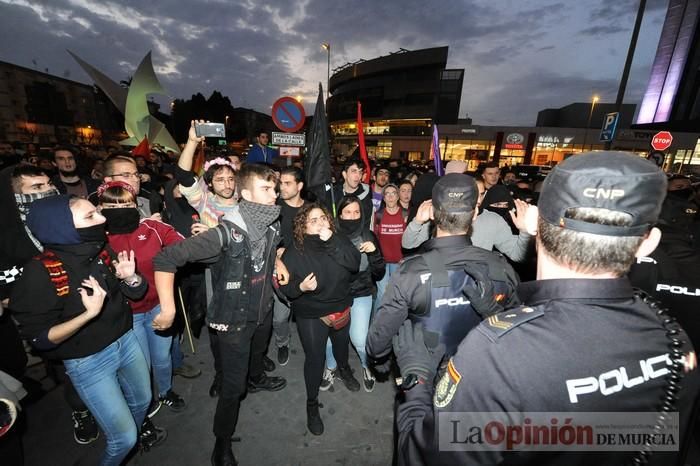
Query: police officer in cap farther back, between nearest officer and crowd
x=428 y=288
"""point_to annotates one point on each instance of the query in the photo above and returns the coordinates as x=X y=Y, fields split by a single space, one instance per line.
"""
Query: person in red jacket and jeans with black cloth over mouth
x=147 y=237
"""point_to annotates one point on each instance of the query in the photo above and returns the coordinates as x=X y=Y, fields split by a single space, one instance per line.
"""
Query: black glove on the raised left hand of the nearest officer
x=412 y=356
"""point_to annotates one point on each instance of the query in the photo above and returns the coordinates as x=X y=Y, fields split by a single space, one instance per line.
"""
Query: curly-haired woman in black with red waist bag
x=320 y=265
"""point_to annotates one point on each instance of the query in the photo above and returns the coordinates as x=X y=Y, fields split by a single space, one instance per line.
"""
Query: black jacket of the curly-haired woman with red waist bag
x=333 y=262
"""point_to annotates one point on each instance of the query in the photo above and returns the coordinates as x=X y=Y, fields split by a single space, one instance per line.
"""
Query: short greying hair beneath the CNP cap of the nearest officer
x=586 y=252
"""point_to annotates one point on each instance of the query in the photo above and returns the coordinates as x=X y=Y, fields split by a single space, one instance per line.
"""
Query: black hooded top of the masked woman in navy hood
x=37 y=306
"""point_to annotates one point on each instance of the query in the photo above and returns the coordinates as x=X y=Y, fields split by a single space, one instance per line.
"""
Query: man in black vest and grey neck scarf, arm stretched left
x=240 y=310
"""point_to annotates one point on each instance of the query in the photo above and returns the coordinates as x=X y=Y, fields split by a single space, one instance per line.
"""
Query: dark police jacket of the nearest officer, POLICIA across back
x=579 y=345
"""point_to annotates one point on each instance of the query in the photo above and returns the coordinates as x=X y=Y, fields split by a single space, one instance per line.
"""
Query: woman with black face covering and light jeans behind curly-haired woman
x=362 y=283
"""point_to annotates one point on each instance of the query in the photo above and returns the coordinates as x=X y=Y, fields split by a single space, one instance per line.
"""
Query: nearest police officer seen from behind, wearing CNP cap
x=582 y=342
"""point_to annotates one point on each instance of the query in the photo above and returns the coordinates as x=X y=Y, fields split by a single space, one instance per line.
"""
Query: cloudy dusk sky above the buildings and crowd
x=519 y=56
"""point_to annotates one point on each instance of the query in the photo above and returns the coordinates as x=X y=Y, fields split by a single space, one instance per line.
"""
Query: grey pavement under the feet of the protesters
x=272 y=426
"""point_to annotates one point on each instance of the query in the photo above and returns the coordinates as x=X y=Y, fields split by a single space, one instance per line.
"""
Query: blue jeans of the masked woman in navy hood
x=115 y=386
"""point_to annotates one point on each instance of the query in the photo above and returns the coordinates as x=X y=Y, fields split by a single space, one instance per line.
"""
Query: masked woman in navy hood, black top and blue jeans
x=71 y=304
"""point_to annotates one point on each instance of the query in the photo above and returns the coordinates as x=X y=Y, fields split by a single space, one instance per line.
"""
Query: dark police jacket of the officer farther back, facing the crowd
x=428 y=287
